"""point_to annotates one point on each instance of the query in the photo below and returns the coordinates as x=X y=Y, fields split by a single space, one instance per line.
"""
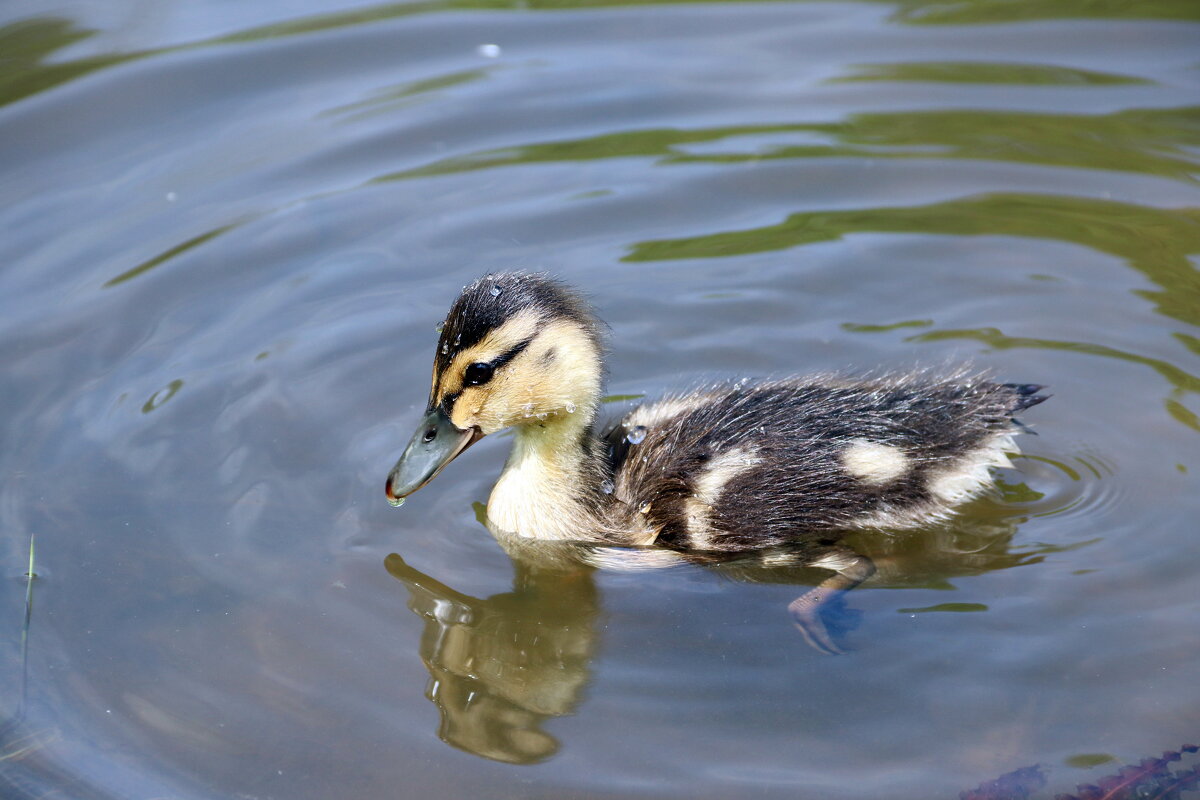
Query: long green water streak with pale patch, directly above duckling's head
x=1150 y=142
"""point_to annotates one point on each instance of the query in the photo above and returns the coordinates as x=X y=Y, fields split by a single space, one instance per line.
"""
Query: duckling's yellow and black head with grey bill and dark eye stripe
x=517 y=350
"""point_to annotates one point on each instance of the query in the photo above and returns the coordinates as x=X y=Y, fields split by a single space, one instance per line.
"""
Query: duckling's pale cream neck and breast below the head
x=551 y=480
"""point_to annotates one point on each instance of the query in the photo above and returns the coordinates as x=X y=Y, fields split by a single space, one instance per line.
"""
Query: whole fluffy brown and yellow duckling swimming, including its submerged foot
x=727 y=470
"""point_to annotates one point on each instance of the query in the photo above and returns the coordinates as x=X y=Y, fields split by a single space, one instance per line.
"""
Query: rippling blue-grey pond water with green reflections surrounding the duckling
x=230 y=230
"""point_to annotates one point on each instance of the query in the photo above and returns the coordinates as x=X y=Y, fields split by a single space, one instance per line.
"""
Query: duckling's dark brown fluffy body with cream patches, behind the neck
x=747 y=467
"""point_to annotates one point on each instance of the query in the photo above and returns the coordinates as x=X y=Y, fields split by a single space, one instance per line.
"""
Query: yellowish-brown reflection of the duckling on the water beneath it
x=503 y=666
